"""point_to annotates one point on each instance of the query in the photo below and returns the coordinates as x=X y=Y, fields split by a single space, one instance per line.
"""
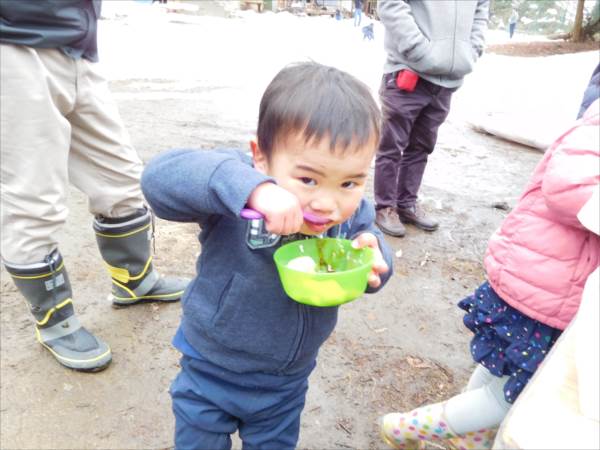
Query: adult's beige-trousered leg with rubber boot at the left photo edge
x=37 y=91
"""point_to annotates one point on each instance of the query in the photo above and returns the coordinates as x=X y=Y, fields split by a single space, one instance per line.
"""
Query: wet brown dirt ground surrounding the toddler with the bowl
x=396 y=350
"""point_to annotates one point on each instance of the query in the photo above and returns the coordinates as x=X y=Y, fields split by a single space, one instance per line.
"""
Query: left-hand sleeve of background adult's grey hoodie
x=404 y=32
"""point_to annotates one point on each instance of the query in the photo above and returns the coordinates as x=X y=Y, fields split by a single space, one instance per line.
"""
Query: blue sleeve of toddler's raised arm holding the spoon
x=191 y=185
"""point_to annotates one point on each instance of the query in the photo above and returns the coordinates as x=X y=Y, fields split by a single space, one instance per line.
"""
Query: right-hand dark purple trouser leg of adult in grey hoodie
x=421 y=141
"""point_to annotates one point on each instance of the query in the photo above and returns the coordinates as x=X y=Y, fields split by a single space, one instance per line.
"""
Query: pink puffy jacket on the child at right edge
x=540 y=257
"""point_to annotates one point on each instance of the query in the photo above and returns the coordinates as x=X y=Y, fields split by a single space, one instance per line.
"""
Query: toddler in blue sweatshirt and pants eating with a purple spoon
x=247 y=348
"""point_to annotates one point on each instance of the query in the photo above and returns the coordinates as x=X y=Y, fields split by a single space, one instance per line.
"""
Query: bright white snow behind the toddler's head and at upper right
x=227 y=63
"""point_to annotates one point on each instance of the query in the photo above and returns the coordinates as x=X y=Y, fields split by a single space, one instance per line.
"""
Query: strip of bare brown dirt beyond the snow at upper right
x=545 y=48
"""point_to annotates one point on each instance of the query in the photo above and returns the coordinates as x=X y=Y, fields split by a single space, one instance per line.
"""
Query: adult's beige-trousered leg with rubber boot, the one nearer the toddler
x=104 y=165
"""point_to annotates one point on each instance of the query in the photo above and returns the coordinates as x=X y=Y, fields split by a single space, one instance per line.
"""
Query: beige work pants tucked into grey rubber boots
x=59 y=125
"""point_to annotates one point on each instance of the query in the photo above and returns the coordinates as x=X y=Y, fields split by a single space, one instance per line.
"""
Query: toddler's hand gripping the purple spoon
x=281 y=208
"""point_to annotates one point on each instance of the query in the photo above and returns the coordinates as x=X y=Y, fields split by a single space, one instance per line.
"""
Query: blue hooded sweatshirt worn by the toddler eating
x=235 y=311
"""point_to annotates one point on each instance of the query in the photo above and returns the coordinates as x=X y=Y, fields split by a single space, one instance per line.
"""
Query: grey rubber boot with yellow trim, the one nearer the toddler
x=125 y=247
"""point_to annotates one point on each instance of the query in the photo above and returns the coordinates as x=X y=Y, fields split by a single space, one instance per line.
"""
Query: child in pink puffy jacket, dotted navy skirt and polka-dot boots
x=536 y=264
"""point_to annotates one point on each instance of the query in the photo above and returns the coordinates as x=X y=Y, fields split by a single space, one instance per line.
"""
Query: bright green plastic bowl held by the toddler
x=347 y=282
